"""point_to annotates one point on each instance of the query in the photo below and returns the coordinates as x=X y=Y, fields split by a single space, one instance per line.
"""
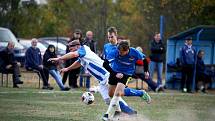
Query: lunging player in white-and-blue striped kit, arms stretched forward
x=92 y=62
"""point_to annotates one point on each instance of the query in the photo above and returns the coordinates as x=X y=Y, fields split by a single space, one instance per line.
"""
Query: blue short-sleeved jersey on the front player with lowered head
x=125 y=64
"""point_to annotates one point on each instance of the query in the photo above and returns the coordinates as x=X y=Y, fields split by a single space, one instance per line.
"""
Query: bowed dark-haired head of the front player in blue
x=123 y=47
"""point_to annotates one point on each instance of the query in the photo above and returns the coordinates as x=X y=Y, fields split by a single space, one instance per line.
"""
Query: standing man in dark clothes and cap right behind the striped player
x=73 y=74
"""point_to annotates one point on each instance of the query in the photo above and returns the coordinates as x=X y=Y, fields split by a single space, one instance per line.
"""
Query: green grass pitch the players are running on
x=41 y=105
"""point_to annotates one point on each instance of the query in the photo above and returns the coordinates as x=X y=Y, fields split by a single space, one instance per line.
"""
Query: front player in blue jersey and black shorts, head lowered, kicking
x=123 y=61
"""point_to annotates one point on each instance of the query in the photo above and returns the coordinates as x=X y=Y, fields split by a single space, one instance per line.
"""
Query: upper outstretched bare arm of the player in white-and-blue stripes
x=66 y=56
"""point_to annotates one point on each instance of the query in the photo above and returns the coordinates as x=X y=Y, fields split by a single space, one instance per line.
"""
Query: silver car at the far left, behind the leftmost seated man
x=19 y=51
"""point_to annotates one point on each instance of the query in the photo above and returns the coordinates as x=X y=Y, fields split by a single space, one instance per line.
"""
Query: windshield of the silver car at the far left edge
x=6 y=36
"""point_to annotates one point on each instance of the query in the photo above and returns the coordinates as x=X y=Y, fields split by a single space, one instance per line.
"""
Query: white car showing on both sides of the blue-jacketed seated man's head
x=27 y=43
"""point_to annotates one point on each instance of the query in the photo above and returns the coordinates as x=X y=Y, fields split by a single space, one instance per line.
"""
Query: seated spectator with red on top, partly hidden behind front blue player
x=139 y=73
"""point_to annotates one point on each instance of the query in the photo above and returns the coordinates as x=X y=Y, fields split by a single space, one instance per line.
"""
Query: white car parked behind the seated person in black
x=60 y=48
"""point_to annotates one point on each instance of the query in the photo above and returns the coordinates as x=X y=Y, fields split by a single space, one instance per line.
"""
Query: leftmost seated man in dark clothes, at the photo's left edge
x=9 y=64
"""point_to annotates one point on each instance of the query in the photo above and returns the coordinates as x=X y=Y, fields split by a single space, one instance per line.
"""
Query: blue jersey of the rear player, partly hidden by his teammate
x=107 y=49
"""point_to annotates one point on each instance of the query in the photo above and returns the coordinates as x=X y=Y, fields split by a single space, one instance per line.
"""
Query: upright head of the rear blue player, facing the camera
x=112 y=35
